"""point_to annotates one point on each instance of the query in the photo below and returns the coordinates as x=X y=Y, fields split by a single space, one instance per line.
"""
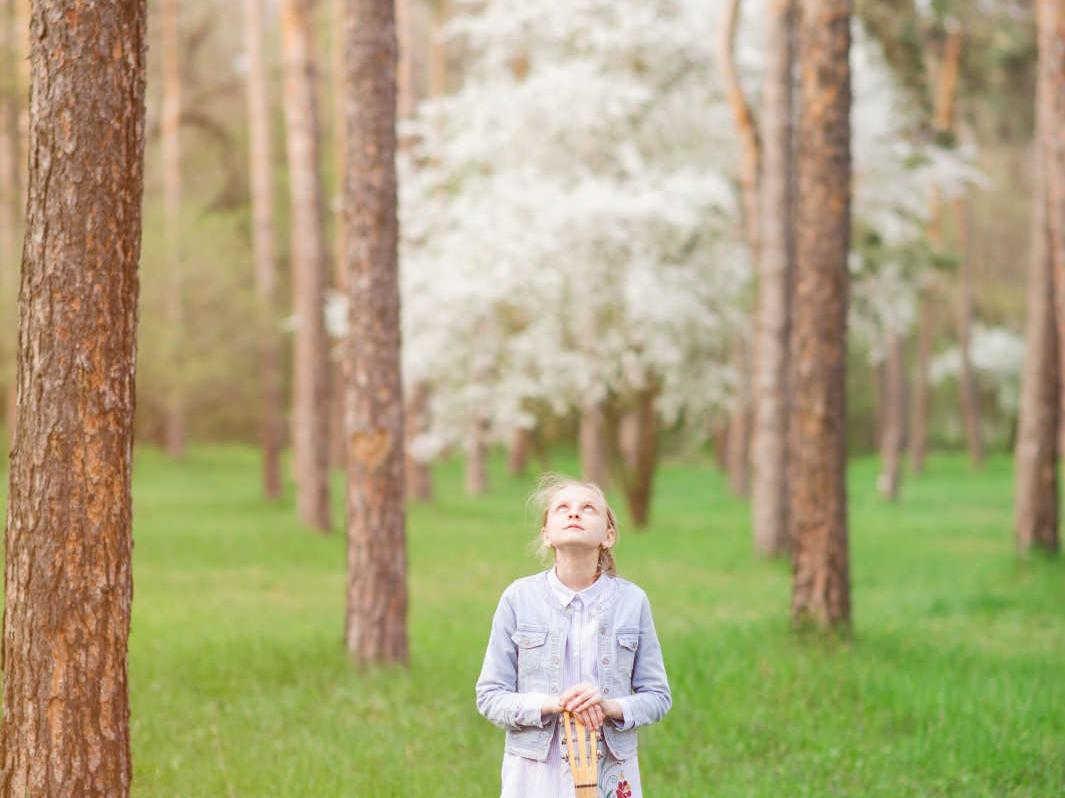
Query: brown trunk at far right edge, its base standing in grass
x=1037 y=493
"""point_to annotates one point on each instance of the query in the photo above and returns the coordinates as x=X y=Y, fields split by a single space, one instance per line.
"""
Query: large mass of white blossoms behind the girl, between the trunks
x=569 y=220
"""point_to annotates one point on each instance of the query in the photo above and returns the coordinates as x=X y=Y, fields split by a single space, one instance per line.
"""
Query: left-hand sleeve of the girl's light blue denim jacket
x=498 y=698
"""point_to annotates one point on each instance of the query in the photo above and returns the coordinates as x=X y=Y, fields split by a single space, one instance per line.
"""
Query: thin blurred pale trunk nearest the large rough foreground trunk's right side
x=171 y=154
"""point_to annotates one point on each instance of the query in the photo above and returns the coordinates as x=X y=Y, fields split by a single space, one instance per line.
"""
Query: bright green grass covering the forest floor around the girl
x=953 y=686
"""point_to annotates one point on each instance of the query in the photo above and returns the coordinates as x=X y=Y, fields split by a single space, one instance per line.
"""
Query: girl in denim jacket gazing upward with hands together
x=575 y=638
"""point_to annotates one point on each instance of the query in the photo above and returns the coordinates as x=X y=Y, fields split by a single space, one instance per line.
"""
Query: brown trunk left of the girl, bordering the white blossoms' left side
x=376 y=624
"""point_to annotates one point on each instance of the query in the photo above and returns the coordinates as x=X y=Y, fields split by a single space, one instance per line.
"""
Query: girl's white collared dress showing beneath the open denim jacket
x=526 y=778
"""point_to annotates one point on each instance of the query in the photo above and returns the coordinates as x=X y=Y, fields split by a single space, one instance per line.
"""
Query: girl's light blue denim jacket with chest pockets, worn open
x=523 y=665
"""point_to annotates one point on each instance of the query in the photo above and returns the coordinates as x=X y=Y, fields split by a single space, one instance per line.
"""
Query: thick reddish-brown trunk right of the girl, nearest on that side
x=822 y=587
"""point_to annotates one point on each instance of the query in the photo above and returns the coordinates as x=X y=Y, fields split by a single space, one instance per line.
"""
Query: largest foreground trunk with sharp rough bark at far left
x=69 y=583
